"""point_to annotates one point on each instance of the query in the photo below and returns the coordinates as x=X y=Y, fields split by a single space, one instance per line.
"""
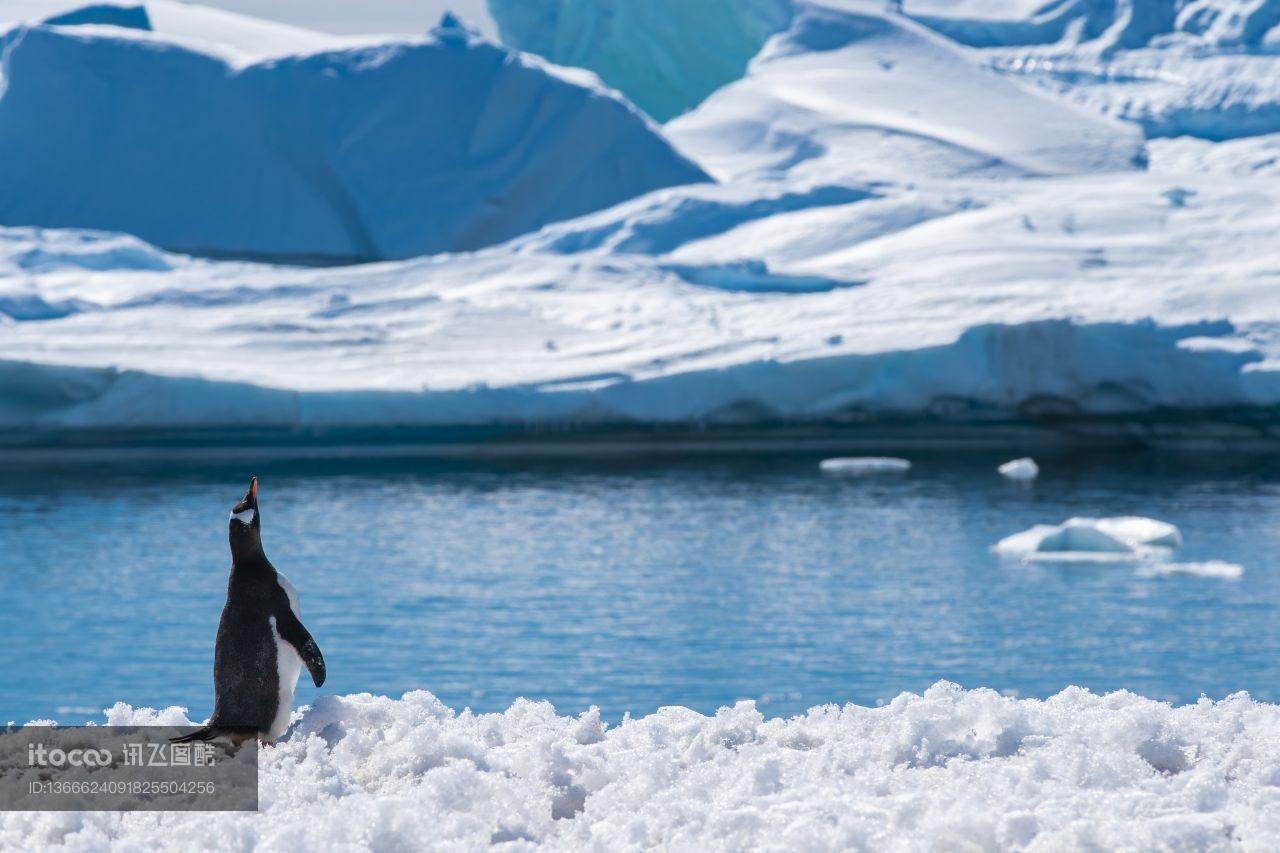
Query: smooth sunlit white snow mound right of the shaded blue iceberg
x=851 y=92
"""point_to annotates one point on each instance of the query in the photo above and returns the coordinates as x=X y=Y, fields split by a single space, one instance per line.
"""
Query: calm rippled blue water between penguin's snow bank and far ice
x=636 y=586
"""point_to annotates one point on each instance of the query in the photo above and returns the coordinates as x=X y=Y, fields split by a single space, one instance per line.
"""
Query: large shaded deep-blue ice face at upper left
x=400 y=149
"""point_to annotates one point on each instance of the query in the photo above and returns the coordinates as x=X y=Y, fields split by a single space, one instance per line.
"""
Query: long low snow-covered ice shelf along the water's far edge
x=1078 y=308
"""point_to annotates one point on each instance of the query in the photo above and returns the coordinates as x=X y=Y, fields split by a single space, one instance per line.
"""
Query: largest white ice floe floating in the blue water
x=1121 y=540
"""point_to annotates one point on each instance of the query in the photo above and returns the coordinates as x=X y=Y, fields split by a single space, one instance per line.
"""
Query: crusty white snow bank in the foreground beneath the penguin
x=948 y=770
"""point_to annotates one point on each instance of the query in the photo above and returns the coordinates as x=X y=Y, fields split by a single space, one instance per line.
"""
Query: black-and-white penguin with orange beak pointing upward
x=262 y=642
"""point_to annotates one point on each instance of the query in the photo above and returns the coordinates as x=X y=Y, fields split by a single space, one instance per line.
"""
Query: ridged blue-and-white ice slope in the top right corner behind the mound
x=1208 y=69
